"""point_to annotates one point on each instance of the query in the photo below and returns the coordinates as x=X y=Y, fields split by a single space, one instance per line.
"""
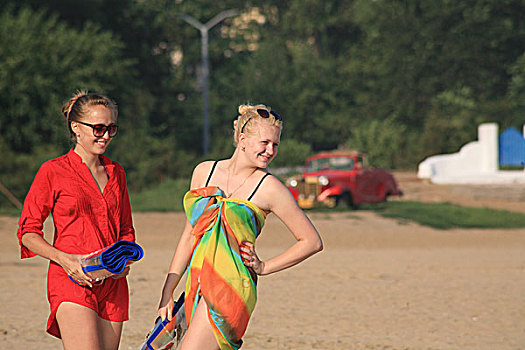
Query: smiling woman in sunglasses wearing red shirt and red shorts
x=87 y=195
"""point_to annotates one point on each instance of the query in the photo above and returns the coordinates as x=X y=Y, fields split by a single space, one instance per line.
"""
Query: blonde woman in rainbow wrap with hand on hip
x=226 y=207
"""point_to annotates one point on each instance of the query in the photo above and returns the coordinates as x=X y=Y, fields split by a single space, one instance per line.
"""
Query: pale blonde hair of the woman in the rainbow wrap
x=244 y=122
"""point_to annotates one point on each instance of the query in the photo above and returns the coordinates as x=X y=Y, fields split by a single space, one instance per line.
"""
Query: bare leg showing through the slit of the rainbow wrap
x=199 y=335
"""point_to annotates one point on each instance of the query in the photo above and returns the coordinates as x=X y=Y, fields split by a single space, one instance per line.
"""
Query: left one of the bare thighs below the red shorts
x=78 y=327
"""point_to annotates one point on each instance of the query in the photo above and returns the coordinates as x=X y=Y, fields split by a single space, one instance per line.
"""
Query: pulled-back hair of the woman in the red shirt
x=76 y=108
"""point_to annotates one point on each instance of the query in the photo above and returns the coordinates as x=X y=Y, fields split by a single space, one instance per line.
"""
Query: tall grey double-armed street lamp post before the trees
x=204 y=28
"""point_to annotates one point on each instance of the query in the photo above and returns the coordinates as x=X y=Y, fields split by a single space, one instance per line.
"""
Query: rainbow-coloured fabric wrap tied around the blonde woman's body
x=216 y=271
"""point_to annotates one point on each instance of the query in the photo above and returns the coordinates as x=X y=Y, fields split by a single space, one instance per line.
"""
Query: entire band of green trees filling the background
x=400 y=80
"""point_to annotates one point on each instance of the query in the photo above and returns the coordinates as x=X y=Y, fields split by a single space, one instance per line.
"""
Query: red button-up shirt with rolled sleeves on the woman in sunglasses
x=85 y=219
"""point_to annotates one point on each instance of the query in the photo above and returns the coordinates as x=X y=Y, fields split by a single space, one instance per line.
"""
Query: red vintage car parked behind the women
x=341 y=178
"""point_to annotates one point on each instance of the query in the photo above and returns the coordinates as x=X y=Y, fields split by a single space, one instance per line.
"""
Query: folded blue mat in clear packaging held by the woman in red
x=111 y=260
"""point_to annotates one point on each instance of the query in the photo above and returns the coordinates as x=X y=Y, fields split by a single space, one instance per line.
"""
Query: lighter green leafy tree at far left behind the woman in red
x=42 y=62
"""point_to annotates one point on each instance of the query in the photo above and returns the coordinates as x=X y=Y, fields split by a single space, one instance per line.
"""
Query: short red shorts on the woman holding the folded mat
x=110 y=299
